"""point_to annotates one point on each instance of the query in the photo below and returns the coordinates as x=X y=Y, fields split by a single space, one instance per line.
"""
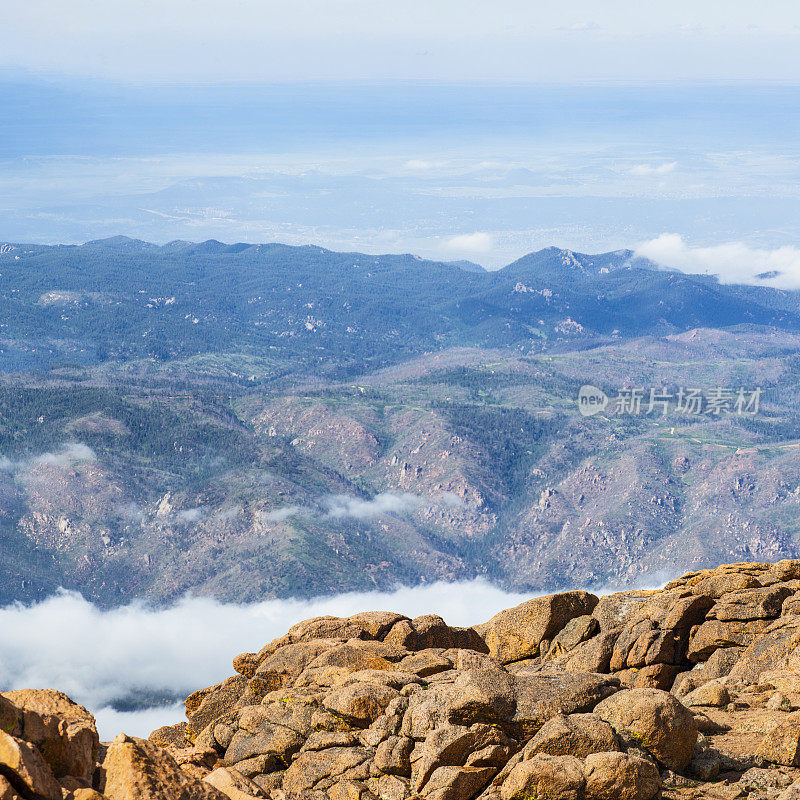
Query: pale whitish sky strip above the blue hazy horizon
x=273 y=40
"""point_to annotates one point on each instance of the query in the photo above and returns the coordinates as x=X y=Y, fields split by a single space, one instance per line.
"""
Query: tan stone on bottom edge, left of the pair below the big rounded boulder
x=545 y=777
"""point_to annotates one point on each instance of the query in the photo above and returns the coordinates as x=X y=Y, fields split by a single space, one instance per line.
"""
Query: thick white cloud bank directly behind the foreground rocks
x=103 y=657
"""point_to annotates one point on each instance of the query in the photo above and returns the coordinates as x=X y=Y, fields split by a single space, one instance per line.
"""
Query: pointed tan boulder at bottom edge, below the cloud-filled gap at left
x=135 y=769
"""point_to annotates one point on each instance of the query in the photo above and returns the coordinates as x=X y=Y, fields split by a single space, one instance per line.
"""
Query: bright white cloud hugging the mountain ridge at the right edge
x=734 y=262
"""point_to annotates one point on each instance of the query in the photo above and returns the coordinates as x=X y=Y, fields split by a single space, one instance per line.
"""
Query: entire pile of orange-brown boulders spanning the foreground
x=686 y=692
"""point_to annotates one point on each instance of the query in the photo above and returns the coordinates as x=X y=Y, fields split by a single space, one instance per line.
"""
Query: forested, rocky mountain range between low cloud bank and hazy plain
x=248 y=421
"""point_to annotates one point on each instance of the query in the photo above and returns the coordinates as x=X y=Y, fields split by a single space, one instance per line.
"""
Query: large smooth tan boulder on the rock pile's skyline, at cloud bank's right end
x=517 y=633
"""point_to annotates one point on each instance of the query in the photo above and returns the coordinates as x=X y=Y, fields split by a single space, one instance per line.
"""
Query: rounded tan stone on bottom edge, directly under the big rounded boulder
x=618 y=776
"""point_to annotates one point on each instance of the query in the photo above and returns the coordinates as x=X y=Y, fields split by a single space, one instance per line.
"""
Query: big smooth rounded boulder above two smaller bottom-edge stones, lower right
x=656 y=720
